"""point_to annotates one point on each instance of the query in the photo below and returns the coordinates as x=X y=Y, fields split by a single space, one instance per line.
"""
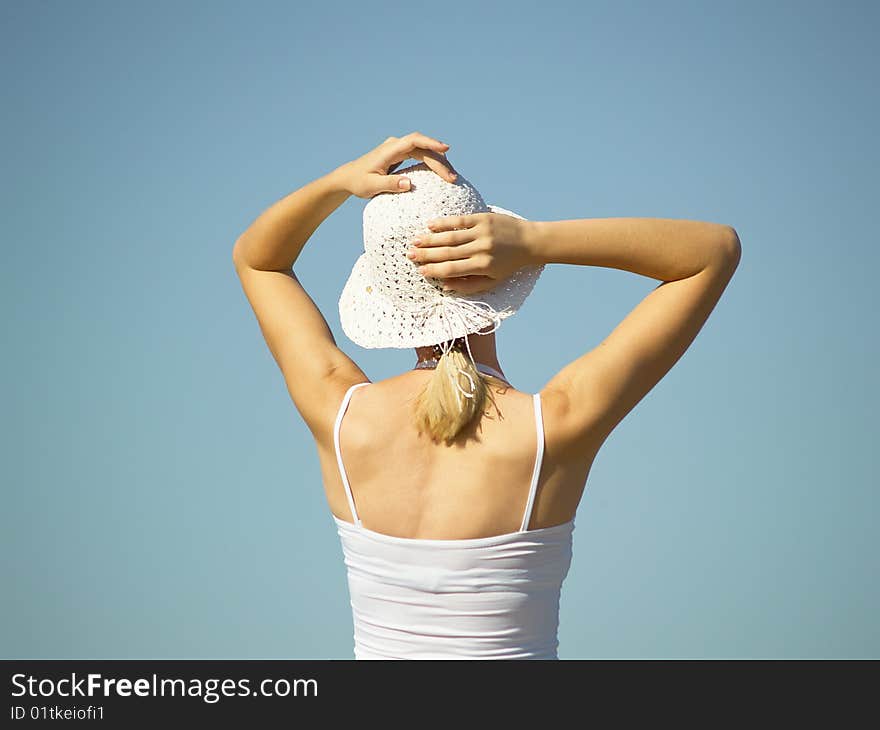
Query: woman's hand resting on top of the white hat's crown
x=370 y=175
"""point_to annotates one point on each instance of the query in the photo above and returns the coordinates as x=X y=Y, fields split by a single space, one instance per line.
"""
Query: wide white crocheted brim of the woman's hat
x=372 y=320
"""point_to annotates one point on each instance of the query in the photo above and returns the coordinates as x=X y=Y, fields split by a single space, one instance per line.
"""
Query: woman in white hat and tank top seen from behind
x=454 y=493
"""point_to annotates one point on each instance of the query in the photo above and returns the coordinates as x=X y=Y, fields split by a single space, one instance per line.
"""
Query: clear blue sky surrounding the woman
x=162 y=496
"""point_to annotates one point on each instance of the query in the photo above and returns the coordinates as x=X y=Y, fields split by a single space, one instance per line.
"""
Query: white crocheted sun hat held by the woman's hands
x=386 y=302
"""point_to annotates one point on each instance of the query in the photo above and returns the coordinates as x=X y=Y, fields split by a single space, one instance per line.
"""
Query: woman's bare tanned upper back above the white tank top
x=406 y=486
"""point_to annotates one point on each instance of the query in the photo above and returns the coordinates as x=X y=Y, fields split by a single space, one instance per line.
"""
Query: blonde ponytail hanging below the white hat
x=441 y=410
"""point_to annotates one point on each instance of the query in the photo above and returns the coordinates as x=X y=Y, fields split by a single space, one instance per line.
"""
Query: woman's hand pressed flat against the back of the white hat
x=473 y=253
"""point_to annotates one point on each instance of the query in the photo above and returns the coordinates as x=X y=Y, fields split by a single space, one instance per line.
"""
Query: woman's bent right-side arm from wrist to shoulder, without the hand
x=694 y=261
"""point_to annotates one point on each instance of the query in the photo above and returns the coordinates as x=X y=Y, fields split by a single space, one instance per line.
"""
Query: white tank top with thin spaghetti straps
x=491 y=597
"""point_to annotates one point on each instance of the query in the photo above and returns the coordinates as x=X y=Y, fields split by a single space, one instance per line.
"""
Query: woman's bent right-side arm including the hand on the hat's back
x=694 y=261
